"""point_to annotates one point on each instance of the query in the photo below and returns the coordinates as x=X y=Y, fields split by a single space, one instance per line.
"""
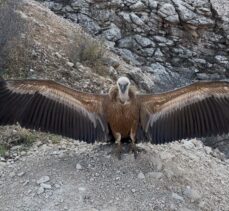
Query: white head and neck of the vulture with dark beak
x=123 y=84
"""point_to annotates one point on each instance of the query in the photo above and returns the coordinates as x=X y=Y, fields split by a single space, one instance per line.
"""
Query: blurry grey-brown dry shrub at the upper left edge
x=14 y=41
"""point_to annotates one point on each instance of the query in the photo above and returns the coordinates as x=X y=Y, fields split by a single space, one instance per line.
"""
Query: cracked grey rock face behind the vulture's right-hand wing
x=186 y=40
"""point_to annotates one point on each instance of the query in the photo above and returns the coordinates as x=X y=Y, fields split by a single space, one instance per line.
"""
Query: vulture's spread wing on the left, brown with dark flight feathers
x=50 y=107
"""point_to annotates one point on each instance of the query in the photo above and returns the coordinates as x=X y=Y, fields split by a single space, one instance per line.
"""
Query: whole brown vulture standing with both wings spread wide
x=197 y=110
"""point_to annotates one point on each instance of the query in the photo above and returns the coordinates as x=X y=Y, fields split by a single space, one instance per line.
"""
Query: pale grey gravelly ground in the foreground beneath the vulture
x=69 y=175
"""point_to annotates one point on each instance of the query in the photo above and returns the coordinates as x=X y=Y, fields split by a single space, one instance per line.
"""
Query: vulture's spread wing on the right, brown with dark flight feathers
x=197 y=110
